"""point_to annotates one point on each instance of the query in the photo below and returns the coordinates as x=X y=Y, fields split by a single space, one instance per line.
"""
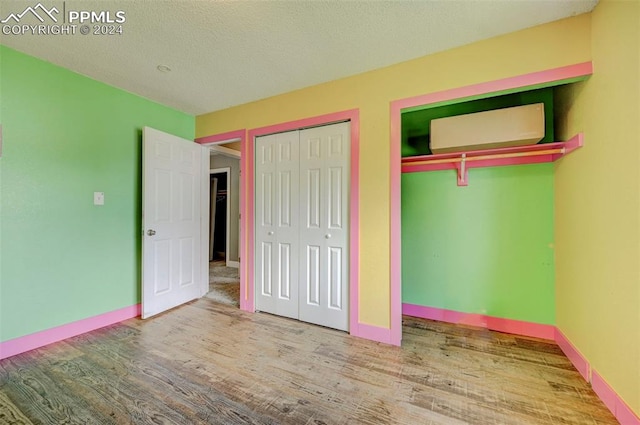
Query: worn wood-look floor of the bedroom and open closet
x=211 y=363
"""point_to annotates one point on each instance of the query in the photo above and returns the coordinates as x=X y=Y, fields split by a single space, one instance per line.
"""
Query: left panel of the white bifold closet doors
x=276 y=230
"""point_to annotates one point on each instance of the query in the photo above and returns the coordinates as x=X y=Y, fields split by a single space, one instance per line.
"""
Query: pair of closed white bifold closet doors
x=302 y=224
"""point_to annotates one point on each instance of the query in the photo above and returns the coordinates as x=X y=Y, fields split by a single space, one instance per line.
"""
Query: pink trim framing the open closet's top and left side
x=396 y=107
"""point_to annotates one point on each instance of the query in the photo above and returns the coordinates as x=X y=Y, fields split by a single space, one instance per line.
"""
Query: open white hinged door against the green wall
x=172 y=177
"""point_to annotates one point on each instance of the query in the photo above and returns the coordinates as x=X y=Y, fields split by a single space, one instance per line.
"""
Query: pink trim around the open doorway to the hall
x=242 y=136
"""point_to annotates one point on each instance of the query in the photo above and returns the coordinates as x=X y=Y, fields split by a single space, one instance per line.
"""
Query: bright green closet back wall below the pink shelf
x=486 y=248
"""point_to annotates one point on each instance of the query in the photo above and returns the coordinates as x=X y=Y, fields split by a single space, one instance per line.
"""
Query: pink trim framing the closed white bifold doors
x=352 y=115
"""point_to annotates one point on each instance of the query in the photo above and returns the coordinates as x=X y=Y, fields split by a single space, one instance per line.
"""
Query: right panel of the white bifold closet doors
x=324 y=225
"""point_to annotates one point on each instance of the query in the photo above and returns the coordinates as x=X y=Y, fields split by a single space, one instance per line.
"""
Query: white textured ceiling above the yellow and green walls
x=225 y=53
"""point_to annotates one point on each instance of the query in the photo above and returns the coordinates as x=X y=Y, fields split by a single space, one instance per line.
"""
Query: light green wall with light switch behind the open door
x=66 y=136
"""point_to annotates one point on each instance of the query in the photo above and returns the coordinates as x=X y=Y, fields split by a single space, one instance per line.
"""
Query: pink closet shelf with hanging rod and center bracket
x=462 y=161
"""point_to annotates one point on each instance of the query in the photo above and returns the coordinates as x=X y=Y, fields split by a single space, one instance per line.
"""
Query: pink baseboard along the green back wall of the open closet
x=517 y=327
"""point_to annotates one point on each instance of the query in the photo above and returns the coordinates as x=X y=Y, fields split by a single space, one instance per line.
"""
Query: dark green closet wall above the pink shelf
x=416 y=124
